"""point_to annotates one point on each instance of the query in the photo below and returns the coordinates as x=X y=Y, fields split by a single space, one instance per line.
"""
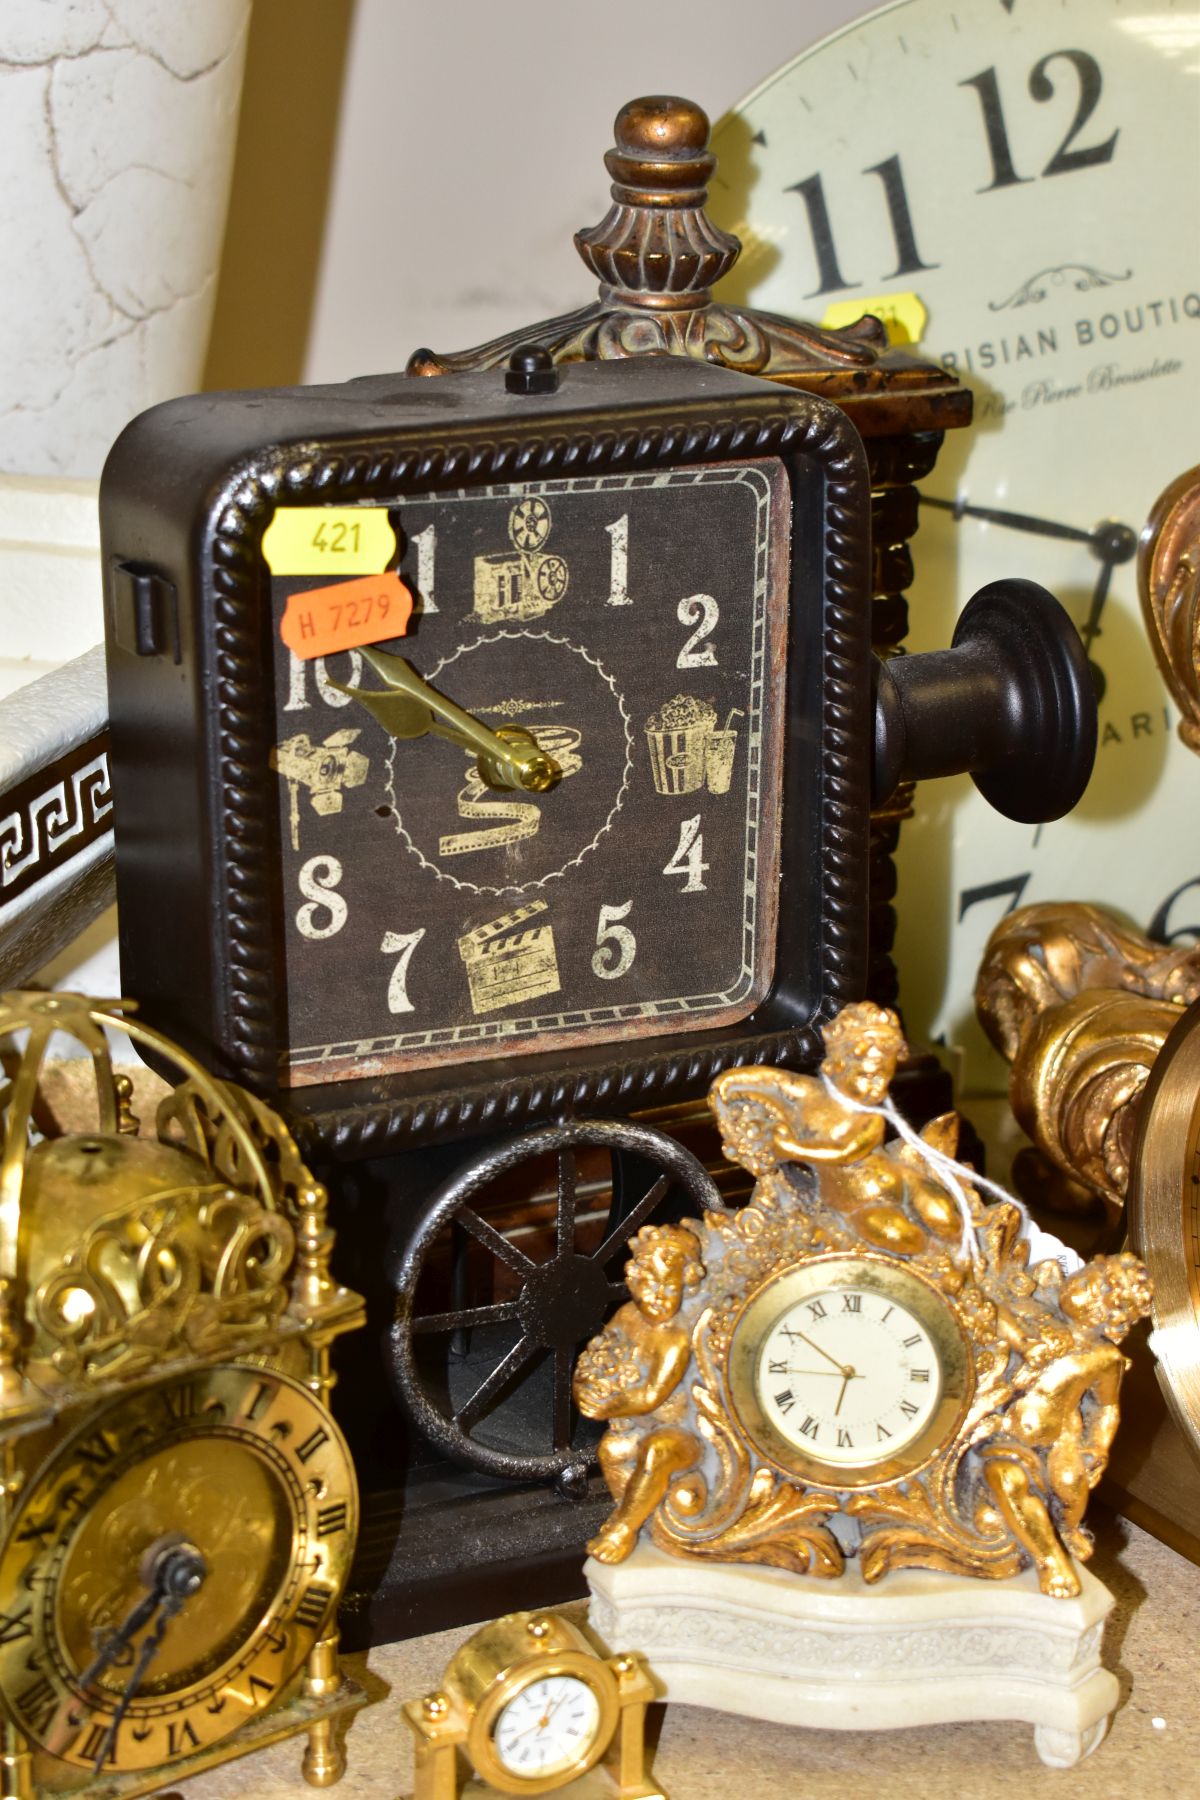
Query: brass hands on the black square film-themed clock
x=409 y=708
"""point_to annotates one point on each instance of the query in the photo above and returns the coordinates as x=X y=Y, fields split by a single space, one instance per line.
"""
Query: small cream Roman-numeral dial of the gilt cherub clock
x=848 y=1376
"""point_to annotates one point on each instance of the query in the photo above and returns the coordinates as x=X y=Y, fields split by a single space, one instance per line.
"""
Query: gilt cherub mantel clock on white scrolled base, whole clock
x=861 y=1376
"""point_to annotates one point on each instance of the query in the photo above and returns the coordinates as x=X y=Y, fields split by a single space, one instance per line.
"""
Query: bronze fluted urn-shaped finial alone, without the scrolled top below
x=658 y=246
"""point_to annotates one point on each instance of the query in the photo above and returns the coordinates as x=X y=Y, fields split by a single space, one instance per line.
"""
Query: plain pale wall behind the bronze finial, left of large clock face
x=472 y=147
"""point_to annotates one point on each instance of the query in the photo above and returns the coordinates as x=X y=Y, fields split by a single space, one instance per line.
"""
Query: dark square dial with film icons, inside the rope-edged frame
x=632 y=629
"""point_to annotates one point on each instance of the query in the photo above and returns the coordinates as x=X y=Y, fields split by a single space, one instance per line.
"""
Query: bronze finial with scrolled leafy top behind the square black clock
x=658 y=256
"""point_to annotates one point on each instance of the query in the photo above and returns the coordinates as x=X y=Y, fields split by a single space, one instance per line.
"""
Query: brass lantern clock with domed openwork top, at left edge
x=179 y=1507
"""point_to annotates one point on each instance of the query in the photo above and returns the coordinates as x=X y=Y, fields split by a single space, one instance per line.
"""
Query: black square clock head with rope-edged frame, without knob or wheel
x=341 y=618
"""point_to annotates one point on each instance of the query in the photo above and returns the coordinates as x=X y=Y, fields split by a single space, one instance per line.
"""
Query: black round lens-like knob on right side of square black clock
x=1012 y=705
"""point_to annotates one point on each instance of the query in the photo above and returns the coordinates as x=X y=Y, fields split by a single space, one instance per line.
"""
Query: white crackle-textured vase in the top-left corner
x=118 y=129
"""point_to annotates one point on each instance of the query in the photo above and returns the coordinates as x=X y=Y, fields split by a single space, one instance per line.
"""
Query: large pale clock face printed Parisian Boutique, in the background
x=1026 y=175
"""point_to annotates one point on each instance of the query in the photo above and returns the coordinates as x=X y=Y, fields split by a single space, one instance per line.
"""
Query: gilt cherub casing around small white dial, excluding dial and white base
x=839 y=1174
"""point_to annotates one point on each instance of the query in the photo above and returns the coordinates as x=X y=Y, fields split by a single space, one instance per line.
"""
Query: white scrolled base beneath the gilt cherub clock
x=918 y=1650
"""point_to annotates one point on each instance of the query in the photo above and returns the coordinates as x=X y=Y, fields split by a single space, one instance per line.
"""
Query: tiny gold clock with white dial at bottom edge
x=535 y=1711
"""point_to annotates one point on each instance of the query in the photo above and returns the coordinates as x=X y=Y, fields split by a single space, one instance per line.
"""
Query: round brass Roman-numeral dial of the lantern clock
x=233 y=1480
